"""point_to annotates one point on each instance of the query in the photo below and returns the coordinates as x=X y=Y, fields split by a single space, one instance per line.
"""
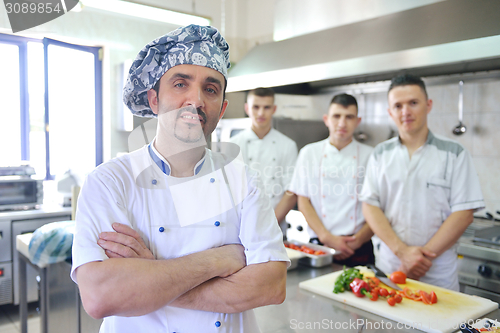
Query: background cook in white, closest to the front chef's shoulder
x=271 y=154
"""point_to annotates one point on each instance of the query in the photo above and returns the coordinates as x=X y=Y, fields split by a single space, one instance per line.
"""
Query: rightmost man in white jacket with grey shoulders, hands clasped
x=420 y=191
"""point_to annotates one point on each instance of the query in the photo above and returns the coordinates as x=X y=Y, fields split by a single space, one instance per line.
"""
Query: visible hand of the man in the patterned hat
x=124 y=243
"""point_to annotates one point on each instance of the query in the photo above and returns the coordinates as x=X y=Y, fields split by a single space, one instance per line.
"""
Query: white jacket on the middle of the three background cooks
x=332 y=181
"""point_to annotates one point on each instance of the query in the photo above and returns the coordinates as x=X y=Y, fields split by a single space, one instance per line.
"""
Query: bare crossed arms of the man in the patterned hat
x=132 y=283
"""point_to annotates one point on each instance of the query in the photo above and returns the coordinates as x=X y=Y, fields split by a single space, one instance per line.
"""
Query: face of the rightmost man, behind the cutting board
x=408 y=108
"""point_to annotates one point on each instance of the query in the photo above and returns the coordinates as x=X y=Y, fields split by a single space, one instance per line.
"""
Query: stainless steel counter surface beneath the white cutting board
x=304 y=311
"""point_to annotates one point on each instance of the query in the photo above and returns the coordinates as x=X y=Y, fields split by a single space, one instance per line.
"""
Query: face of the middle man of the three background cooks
x=341 y=122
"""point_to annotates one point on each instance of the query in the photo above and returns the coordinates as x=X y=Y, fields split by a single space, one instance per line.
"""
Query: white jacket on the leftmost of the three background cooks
x=272 y=157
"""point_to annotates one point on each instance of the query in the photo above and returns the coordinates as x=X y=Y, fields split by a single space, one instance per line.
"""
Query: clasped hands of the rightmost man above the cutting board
x=415 y=261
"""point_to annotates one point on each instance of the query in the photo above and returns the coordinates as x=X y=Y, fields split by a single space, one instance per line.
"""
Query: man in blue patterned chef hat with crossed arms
x=173 y=237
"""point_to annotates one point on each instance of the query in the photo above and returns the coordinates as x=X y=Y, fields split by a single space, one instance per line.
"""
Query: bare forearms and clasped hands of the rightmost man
x=417 y=260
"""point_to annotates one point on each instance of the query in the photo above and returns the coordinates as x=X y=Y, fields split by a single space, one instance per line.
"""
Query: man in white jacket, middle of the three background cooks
x=327 y=180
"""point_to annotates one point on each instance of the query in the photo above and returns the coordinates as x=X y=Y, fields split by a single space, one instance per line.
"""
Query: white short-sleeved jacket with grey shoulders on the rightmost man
x=417 y=195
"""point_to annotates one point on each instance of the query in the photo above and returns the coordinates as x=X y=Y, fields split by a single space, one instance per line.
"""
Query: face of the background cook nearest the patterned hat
x=260 y=109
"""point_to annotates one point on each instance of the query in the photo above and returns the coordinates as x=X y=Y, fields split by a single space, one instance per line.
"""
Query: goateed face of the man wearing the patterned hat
x=195 y=94
